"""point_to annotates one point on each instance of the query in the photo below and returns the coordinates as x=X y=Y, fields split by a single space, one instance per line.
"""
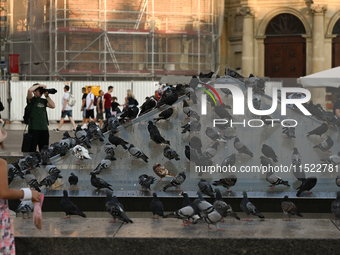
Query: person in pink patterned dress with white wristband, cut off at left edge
x=7 y=244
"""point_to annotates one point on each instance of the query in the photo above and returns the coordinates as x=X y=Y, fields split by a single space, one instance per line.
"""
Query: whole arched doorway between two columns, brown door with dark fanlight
x=285 y=48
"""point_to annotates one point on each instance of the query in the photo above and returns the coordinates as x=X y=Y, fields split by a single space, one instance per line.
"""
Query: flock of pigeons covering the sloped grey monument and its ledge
x=191 y=211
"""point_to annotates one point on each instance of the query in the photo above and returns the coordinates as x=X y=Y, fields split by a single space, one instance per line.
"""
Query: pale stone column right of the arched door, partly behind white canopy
x=318 y=59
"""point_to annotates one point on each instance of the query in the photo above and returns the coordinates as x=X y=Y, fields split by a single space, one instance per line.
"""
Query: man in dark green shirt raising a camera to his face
x=38 y=122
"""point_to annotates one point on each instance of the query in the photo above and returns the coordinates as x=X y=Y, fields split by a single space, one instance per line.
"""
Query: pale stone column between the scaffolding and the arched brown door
x=247 y=40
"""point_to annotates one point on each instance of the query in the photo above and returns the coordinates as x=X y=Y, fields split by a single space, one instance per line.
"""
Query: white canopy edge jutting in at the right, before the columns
x=327 y=78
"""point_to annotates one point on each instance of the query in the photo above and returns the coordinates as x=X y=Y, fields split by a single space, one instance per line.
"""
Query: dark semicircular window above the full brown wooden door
x=285 y=24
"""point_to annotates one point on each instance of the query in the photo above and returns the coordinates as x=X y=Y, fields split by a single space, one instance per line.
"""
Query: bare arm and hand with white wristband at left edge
x=6 y=192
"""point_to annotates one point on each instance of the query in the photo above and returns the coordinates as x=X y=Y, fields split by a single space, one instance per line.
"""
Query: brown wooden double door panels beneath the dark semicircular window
x=285 y=57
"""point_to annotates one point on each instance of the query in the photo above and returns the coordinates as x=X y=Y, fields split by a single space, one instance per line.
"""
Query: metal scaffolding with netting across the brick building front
x=63 y=39
